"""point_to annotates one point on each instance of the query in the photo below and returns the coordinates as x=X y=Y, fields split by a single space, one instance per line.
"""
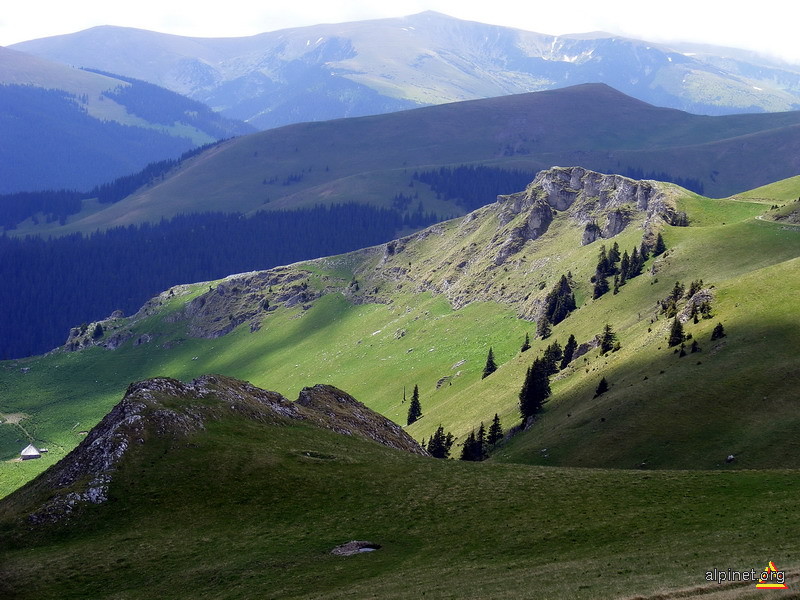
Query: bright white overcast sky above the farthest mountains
x=761 y=26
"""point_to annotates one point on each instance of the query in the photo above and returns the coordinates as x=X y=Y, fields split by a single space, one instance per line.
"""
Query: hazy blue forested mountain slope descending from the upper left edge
x=69 y=128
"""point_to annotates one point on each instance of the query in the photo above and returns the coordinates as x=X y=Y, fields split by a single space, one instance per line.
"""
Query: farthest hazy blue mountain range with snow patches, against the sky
x=367 y=67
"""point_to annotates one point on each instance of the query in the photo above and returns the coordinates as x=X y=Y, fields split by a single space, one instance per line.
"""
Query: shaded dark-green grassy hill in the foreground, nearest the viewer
x=222 y=492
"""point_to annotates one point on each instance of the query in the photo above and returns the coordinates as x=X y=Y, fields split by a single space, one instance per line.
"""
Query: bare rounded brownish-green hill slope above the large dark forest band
x=373 y=159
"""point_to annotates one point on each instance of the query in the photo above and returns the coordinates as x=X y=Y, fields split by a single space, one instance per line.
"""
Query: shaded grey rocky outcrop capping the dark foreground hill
x=169 y=409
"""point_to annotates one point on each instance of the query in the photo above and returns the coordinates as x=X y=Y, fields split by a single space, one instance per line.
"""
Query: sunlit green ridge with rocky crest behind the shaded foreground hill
x=409 y=312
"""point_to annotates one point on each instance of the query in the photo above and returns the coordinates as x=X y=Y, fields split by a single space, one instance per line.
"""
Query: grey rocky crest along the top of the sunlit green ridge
x=602 y=205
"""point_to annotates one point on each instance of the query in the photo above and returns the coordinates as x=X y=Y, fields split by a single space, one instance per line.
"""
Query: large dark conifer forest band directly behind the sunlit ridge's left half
x=52 y=285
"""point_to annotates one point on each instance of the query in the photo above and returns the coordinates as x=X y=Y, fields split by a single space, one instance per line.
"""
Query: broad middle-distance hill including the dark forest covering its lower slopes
x=372 y=178
